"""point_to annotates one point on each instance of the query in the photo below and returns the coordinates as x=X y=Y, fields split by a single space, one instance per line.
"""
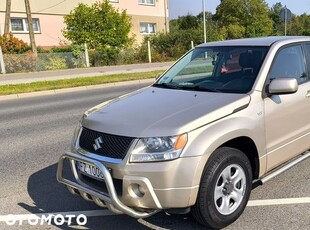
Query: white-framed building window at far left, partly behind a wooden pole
x=20 y=25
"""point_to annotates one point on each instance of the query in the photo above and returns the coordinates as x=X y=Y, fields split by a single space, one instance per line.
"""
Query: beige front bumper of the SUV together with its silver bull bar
x=145 y=189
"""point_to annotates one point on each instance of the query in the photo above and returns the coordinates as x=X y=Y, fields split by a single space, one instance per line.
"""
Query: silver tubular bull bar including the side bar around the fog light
x=109 y=200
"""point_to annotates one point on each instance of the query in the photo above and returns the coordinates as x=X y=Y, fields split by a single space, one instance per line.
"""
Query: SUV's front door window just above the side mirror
x=289 y=63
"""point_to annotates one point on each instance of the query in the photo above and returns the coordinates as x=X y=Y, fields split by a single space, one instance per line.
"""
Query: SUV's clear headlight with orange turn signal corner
x=158 y=149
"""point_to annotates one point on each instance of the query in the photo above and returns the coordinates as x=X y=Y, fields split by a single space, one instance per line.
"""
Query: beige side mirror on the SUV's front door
x=283 y=86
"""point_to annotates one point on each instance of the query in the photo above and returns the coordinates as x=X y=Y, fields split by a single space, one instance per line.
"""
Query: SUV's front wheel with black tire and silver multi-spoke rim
x=225 y=188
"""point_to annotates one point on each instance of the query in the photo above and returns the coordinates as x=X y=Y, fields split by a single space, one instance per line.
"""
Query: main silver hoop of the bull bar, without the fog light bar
x=111 y=199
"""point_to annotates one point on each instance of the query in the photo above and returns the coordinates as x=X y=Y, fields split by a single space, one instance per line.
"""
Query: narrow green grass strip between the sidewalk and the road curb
x=74 y=82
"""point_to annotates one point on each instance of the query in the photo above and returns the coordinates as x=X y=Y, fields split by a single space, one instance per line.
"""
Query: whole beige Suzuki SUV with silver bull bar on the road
x=224 y=116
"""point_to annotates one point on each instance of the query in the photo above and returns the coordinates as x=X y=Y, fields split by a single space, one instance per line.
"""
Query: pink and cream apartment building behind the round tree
x=148 y=17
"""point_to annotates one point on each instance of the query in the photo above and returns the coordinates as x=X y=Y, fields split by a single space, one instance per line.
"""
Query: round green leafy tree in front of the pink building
x=99 y=26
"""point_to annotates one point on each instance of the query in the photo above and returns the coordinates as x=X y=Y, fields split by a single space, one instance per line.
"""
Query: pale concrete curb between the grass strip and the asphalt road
x=75 y=89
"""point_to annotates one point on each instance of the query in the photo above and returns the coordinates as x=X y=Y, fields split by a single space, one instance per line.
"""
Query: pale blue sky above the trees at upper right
x=194 y=7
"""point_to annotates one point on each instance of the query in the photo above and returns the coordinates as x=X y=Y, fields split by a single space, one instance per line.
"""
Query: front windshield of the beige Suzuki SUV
x=216 y=69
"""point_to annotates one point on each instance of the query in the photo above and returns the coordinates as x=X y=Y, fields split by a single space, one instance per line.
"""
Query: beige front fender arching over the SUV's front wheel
x=205 y=140
